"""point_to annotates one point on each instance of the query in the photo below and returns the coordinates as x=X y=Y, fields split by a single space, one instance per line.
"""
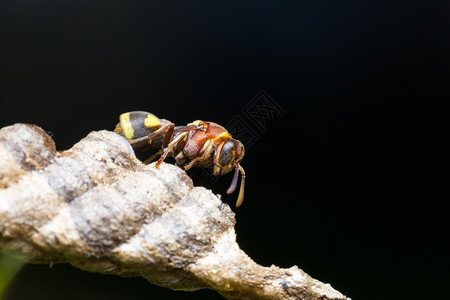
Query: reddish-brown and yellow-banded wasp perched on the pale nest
x=198 y=144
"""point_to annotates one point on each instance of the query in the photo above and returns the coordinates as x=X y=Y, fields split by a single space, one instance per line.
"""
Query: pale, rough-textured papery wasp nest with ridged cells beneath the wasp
x=100 y=209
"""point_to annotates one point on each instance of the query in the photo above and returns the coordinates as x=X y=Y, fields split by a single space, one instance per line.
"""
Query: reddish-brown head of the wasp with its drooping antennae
x=227 y=157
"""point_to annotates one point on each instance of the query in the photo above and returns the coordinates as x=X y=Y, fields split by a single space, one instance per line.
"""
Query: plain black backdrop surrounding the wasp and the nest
x=349 y=183
